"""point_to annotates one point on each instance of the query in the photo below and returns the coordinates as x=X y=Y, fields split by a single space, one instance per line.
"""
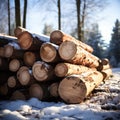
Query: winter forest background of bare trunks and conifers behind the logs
x=75 y=17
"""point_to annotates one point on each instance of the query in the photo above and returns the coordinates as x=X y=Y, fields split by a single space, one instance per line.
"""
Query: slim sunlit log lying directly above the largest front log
x=65 y=69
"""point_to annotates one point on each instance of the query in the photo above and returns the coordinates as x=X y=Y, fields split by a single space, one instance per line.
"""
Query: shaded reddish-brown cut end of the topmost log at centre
x=56 y=37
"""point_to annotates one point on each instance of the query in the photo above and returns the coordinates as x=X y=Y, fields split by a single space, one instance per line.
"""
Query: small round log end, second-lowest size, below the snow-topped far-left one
x=15 y=64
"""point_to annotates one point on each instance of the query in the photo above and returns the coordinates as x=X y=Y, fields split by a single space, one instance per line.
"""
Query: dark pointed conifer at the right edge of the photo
x=114 y=48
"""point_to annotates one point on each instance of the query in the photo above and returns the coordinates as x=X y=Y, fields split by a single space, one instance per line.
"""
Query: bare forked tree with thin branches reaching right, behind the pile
x=84 y=9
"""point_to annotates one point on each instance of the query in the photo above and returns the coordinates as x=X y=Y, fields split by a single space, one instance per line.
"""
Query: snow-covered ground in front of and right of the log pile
x=103 y=104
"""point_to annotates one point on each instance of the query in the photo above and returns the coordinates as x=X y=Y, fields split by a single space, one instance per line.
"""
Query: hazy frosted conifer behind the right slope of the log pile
x=95 y=41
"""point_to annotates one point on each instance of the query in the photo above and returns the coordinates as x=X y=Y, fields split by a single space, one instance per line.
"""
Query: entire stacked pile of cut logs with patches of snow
x=50 y=68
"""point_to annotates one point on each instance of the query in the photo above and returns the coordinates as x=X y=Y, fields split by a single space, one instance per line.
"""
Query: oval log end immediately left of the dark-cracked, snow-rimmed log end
x=25 y=77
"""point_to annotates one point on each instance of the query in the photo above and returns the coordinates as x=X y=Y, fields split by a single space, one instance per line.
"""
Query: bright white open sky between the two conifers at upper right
x=108 y=18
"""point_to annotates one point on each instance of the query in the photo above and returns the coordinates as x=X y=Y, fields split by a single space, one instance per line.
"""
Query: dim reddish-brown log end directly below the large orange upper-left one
x=29 y=58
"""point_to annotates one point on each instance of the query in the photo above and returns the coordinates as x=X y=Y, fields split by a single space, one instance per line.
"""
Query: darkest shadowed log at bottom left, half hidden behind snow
x=20 y=95
